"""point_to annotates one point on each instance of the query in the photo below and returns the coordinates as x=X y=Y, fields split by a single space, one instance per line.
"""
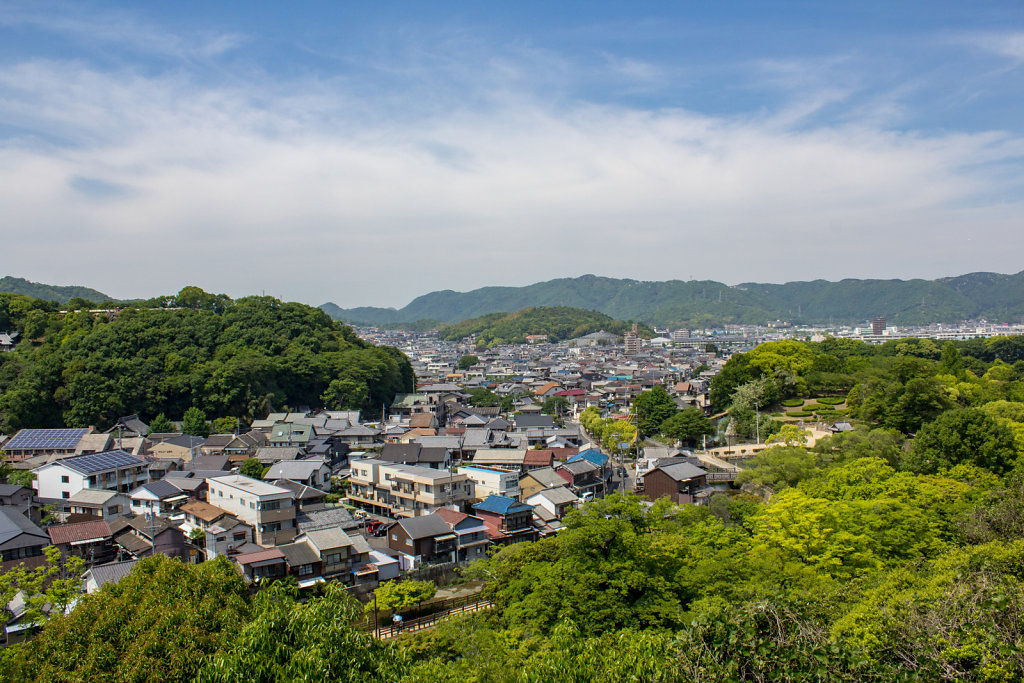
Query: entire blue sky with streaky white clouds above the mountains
x=369 y=153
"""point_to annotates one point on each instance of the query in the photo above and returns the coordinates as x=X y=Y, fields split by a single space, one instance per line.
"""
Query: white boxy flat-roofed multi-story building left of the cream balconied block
x=269 y=509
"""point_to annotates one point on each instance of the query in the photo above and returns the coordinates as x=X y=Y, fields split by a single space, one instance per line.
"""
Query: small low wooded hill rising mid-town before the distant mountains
x=559 y=323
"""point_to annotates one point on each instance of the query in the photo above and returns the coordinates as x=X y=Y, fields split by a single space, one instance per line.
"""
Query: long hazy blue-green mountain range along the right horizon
x=698 y=304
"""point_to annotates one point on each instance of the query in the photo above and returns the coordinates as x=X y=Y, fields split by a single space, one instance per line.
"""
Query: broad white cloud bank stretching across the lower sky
x=320 y=191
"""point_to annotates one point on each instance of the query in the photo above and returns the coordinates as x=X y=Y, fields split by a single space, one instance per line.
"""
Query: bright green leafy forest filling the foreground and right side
x=893 y=552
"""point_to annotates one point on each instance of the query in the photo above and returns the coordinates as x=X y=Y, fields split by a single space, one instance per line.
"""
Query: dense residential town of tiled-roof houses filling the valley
x=488 y=451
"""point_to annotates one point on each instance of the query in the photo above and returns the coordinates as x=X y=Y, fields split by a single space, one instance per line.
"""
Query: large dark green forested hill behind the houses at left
x=231 y=359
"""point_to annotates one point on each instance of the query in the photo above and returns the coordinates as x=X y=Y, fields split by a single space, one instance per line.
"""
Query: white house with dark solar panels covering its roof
x=113 y=471
